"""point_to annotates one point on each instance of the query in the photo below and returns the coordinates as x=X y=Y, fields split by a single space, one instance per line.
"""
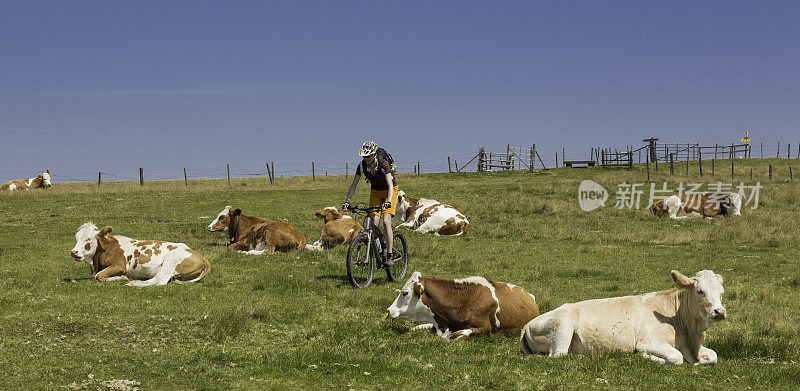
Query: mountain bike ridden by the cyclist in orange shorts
x=366 y=252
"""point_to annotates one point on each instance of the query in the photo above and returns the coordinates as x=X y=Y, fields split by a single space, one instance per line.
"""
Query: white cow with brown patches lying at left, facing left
x=146 y=262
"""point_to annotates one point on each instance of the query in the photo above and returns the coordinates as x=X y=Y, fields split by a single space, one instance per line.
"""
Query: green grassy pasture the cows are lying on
x=291 y=321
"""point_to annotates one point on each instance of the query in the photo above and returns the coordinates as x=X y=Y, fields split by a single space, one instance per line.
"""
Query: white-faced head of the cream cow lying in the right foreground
x=704 y=294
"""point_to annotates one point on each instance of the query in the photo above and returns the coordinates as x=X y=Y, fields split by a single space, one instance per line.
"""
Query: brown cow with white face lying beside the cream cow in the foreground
x=463 y=307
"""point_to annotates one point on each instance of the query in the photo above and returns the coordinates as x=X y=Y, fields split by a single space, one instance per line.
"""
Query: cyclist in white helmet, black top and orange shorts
x=376 y=165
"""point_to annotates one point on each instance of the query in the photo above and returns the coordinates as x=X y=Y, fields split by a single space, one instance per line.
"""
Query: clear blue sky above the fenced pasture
x=108 y=85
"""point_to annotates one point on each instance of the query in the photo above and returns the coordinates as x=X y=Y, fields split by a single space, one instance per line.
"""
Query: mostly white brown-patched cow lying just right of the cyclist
x=429 y=216
